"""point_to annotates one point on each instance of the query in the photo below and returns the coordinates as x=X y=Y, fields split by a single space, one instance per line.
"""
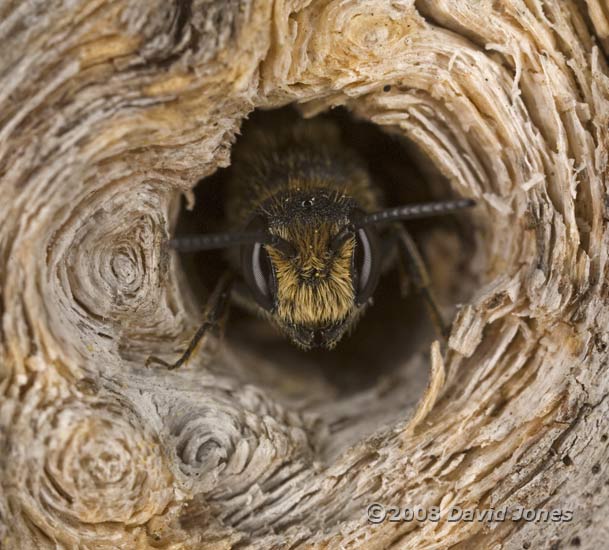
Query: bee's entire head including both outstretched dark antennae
x=312 y=262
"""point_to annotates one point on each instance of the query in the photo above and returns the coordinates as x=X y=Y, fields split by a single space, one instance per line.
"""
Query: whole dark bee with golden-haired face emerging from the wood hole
x=310 y=236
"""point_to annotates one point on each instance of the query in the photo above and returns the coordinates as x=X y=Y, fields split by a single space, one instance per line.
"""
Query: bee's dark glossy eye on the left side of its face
x=258 y=271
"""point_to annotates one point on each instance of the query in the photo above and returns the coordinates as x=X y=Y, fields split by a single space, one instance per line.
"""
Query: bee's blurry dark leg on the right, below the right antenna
x=412 y=264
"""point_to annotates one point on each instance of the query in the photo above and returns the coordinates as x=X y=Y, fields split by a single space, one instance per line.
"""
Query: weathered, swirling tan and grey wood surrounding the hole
x=111 y=110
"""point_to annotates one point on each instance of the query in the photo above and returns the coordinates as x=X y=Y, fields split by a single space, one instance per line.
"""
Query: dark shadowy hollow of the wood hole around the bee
x=394 y=327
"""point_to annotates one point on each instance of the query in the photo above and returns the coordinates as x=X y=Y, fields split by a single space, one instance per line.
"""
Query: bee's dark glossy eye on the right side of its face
x=366 y=264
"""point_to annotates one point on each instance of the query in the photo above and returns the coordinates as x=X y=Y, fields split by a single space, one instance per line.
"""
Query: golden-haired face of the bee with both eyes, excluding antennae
x=314 y=277
